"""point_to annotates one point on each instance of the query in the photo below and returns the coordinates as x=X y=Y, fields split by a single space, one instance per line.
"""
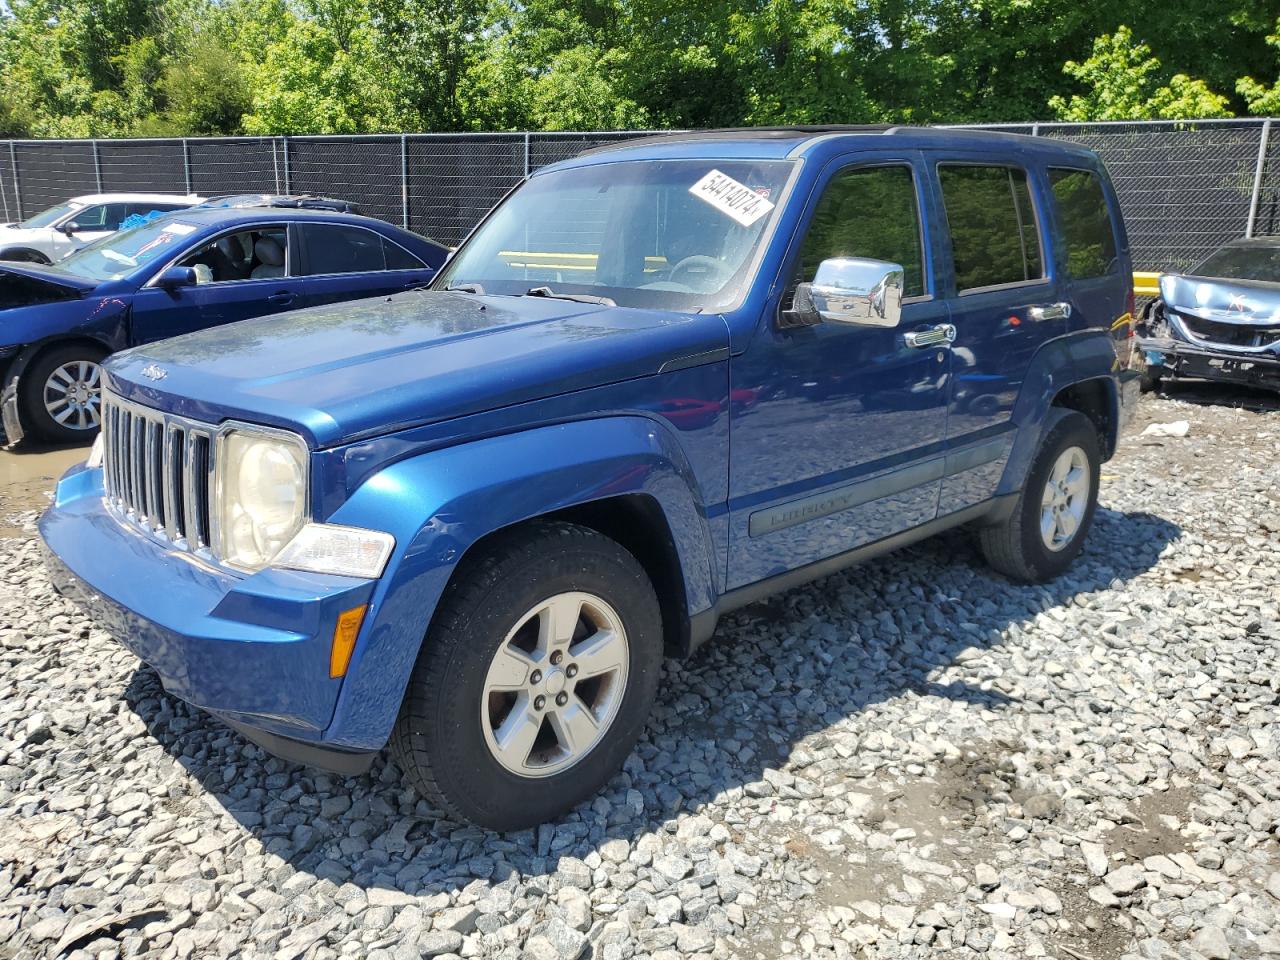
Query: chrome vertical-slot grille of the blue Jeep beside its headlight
x=159 y=472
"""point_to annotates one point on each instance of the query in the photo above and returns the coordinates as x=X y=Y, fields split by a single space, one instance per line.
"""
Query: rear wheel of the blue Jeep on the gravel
x=1018 y=547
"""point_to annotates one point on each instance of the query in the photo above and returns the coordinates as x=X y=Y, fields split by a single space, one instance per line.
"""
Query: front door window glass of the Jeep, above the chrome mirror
x=868 y=213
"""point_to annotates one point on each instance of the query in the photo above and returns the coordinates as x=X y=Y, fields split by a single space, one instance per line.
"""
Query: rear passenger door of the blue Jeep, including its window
x=1005 y=304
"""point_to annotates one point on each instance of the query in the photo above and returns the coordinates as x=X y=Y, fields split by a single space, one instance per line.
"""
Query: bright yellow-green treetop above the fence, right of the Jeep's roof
x=1123 y=83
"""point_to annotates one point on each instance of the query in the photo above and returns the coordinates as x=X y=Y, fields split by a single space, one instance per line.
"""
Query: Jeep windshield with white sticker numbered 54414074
x=668 y=235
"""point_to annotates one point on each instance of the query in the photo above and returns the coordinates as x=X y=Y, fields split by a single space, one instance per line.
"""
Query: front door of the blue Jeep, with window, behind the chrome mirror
x=838 y=433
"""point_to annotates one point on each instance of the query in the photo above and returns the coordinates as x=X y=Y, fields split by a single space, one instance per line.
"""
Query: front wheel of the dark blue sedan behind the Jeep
x=39 y=394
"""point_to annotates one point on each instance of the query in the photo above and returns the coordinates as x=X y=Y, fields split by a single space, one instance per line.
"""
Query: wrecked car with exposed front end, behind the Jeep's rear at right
x=1218 y=322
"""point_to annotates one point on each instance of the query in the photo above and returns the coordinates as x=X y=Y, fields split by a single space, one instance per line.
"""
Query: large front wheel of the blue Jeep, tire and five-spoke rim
x=452 y=720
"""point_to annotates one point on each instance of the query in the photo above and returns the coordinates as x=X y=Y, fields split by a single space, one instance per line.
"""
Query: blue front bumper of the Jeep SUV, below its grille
x=253 y=651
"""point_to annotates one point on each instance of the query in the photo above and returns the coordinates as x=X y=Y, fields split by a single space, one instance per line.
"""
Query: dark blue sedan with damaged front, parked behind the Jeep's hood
x=180 y=273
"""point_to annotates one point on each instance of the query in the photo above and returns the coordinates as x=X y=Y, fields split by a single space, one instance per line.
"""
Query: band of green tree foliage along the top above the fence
x=204 y=67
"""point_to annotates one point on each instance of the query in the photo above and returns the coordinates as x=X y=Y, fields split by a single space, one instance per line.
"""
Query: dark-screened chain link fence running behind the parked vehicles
x=1186 y=186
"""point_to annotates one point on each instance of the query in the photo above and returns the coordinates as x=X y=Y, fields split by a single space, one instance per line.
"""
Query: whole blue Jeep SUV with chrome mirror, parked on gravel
x=659 y=382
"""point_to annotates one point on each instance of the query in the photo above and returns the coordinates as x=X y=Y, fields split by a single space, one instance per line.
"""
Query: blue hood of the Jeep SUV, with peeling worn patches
x=354 y=371
